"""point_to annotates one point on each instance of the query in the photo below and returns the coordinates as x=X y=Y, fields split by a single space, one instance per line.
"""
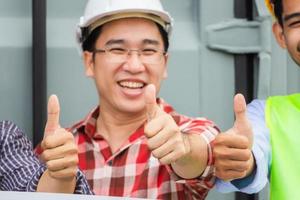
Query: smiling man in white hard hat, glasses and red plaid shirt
x=134 y=144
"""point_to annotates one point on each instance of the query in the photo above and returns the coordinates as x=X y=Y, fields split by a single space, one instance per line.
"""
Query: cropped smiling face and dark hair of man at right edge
x=288 y=35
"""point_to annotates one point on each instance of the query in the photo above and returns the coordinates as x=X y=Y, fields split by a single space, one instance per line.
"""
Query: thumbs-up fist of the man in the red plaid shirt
x=165 y=140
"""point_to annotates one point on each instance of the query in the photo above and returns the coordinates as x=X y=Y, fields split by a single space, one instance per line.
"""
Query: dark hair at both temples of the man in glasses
x=89 y=43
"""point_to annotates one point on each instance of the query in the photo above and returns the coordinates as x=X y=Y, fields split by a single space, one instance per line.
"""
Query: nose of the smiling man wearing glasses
x=133 y=63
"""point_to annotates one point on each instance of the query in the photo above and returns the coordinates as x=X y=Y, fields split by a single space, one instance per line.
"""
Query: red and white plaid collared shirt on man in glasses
x=132 y=171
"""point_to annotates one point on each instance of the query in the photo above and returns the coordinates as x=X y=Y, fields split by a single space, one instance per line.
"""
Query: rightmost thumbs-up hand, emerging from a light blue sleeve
x=232 y=149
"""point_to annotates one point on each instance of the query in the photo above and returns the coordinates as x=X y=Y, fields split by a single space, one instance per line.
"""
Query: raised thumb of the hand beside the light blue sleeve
x=242 y=125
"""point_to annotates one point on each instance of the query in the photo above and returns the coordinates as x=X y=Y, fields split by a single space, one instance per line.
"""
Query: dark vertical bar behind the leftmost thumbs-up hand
x=39 y=68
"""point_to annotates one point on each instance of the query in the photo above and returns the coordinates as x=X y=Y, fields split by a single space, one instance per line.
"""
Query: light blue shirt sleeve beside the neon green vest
x=261 y=151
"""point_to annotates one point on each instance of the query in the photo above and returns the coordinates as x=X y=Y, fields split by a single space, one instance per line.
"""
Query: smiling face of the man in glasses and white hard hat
x=121 y=85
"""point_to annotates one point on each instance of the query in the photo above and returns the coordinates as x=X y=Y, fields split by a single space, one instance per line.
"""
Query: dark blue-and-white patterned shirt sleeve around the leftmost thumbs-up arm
x=20 y=169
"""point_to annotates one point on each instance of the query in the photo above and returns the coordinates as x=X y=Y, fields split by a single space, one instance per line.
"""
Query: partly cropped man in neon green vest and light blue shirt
x=276 y=144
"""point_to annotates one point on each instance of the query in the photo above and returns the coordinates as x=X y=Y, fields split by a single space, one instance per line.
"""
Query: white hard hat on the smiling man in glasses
x=98 y=12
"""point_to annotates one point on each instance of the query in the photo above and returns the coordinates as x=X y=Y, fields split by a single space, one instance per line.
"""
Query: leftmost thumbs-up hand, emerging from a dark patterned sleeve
x=59 y=148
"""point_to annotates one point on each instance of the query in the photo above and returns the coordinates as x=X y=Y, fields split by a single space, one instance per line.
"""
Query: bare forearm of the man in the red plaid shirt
x=193 y=164
